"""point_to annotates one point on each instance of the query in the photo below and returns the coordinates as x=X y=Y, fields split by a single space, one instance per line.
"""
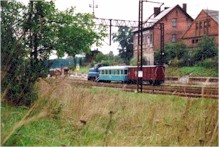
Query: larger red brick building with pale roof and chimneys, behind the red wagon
x=176 y=22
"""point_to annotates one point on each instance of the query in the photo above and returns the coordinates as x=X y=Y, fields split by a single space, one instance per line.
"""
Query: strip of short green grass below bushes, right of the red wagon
x=194 y=71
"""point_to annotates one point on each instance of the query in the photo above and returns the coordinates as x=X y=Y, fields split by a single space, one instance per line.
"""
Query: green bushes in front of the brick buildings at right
x=179 y=55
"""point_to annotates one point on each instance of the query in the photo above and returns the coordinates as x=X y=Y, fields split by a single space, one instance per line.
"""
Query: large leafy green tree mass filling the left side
x=30 y=34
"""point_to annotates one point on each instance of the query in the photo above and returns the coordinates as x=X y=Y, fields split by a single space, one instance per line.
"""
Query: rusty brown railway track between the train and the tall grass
x=194 y=91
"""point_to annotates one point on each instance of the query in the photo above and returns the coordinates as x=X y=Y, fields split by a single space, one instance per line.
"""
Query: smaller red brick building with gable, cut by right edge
x=206 y=23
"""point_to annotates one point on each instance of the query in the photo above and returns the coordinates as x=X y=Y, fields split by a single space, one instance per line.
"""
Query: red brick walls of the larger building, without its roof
x=182 y=24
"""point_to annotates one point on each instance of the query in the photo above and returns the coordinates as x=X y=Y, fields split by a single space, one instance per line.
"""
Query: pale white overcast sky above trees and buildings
x=128 y=10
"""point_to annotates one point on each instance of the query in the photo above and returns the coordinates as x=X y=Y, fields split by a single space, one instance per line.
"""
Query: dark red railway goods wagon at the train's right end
x=154 y=74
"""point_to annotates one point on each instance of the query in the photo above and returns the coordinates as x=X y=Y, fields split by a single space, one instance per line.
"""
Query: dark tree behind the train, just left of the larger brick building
x=125 y=38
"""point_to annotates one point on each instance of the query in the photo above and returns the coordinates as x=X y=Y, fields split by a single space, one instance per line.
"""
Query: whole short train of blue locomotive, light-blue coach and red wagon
x=153 y=74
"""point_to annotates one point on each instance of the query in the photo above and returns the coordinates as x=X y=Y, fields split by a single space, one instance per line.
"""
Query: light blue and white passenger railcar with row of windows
x=113 y=73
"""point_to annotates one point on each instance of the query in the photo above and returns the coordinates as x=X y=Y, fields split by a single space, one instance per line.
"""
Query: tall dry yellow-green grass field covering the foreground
x=79 y=115
